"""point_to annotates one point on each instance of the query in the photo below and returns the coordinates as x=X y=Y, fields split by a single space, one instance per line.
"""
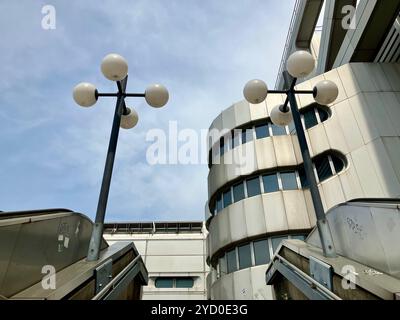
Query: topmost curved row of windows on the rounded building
x=310 y=118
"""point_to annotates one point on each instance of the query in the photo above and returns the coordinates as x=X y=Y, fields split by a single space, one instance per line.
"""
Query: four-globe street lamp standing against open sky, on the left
x=115 y=68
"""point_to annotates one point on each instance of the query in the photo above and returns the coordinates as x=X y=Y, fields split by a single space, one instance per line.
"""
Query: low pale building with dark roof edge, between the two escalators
x=174 y=254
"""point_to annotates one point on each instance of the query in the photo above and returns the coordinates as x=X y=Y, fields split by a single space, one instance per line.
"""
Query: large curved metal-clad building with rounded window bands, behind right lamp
x=354 y=143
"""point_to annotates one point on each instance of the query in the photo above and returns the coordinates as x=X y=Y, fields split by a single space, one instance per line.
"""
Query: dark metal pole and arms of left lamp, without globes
x=120 y=109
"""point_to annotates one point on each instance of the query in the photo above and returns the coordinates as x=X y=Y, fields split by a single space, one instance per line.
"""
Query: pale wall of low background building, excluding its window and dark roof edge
x=171 y=255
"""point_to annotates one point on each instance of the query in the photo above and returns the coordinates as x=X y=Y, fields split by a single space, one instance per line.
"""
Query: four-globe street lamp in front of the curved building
x=300 y=64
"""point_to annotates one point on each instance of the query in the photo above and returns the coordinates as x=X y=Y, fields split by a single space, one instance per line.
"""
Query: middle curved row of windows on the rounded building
x=325 y=166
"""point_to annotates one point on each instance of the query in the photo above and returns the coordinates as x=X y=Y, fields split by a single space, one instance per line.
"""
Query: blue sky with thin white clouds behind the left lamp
x=53 y=152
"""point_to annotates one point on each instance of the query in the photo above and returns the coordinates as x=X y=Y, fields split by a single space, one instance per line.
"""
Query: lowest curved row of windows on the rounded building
x=250 y=254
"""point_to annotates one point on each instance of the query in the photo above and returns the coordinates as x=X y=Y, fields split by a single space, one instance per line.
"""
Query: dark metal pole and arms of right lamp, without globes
x=322 y=223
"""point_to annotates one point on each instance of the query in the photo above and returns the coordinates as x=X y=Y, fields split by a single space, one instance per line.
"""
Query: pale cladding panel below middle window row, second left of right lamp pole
x=275 y=215
